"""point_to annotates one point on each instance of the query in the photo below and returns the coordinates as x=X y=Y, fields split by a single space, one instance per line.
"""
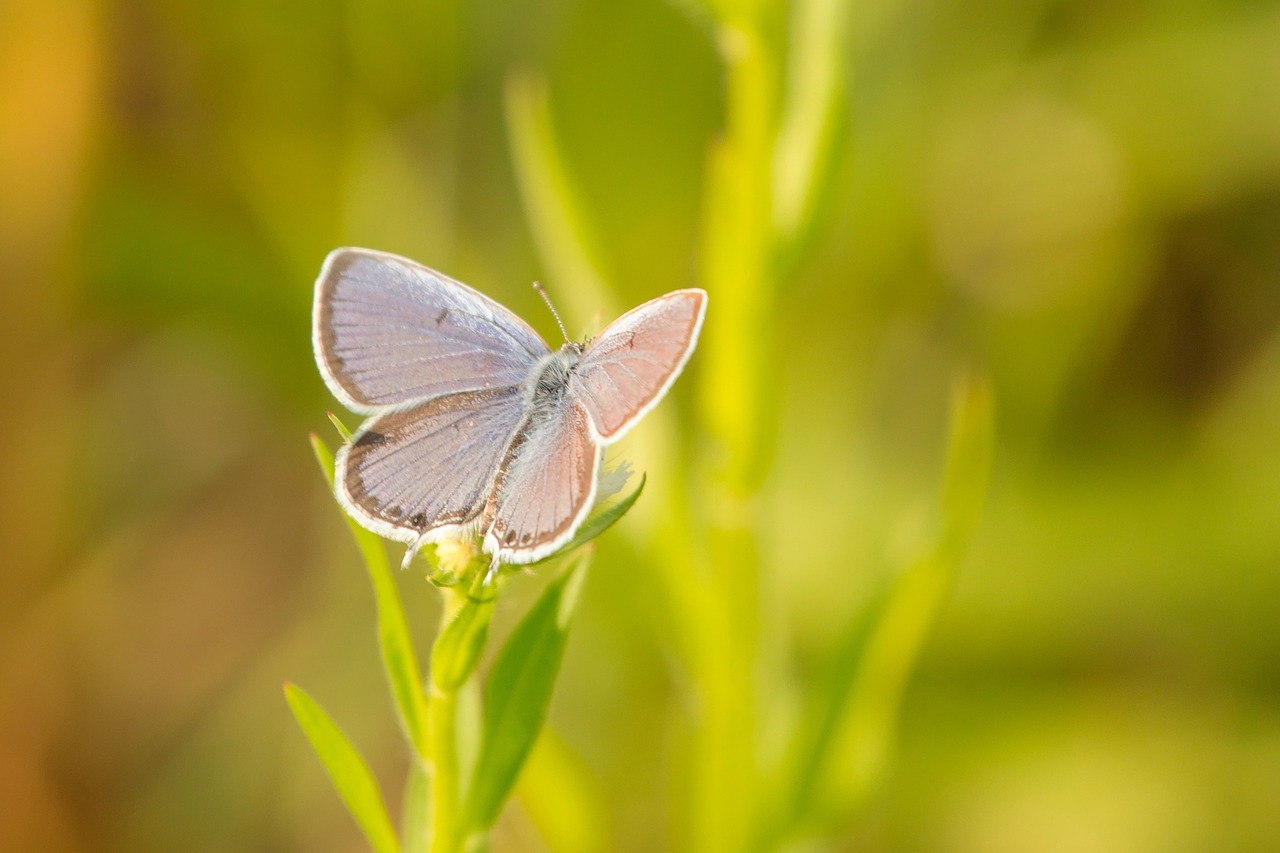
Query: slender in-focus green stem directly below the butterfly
x=444 y=747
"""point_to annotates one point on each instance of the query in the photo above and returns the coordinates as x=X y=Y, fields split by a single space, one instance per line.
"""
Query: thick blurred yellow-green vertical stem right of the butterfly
x=738 y=270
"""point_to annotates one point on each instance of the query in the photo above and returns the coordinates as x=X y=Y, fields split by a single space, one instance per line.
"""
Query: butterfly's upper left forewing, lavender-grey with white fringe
x=388 y=331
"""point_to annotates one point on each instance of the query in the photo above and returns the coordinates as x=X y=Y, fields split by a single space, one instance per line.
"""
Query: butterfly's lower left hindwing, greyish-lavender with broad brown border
x=429 y=466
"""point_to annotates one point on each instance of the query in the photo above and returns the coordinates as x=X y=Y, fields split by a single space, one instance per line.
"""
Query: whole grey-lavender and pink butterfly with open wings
x=474 y=423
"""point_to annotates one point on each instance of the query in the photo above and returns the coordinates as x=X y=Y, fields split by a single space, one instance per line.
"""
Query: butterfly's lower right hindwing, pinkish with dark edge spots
x=546 y=487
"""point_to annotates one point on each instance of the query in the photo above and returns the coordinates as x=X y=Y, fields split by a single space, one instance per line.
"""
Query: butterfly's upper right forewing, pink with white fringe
x=628 y=370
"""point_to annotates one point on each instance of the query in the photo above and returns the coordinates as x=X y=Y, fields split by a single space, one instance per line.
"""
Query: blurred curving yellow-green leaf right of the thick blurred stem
x=851 y=727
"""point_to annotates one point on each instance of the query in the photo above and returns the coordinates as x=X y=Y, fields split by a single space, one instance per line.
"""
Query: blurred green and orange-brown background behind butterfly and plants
x=1081 y=199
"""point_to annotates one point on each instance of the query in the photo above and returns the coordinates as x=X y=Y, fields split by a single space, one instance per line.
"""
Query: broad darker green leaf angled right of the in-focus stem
x=519 y=692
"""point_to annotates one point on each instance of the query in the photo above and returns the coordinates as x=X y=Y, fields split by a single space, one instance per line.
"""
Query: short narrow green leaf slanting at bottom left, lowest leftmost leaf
x=348 y=770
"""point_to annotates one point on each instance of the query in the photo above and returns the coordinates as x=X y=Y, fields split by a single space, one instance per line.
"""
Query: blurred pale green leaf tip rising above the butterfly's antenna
x=554 y=206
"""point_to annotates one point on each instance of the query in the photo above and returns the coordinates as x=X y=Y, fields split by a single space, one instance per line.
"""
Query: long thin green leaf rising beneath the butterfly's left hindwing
x=400 y=662
